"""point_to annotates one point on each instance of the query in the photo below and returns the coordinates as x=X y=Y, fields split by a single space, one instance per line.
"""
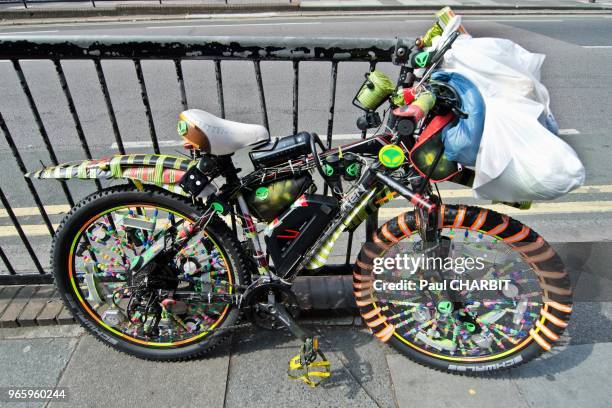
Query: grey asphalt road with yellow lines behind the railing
x=576 y=72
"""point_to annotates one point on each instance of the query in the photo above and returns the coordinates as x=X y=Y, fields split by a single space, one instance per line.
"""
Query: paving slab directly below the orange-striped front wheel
x=419 y=386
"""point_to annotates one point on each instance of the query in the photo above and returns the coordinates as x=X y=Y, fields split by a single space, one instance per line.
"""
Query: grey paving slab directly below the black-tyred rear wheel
x=99 y=376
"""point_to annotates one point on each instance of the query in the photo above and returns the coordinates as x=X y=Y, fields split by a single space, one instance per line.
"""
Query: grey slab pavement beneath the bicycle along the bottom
x=250 y=370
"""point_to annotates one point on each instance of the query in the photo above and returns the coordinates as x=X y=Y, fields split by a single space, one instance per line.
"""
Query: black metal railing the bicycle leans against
x=177 y=49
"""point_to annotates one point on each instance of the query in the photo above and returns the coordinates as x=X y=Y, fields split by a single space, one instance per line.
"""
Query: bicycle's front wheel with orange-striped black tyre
x=465 y=328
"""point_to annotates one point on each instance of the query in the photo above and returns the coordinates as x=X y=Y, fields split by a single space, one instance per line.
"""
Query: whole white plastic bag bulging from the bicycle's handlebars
x=518 y=158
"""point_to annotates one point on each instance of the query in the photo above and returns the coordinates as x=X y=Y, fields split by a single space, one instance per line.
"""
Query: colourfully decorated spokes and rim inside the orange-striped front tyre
x=429 y=322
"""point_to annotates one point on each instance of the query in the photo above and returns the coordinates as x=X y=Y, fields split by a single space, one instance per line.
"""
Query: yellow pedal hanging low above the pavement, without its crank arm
x=310 y=365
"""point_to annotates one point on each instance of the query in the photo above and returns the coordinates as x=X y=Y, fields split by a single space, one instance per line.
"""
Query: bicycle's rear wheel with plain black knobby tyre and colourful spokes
x=142 y=313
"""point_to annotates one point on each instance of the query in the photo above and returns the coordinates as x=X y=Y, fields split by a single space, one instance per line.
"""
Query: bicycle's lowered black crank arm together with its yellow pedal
x=310 y=365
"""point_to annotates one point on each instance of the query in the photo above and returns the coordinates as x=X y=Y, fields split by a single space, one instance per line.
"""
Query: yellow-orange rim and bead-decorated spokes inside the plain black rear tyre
x=110 y=242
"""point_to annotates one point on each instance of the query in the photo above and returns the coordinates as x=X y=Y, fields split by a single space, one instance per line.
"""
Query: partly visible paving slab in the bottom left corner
x=33 y=363
